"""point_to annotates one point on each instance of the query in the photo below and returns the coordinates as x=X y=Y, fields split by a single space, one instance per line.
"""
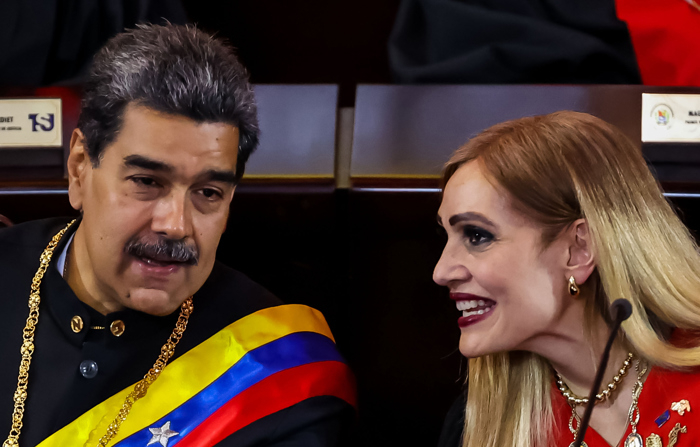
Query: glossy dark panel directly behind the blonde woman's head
x=411 y=130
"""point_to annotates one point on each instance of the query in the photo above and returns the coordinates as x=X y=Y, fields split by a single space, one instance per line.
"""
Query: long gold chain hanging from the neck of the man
x=27 y=350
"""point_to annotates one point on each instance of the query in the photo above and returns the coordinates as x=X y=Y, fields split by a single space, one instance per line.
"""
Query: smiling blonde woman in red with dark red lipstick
x=549 y=219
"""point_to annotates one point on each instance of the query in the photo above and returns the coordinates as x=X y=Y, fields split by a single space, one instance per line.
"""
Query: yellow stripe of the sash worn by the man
x=190 y=373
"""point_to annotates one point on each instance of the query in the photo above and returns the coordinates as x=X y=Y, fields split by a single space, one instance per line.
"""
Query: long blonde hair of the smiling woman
x=558 y=168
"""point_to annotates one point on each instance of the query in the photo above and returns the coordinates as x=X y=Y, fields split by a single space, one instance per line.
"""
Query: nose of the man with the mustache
x=172 y=216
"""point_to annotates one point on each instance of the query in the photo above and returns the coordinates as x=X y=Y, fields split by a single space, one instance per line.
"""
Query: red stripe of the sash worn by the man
x=275 y=393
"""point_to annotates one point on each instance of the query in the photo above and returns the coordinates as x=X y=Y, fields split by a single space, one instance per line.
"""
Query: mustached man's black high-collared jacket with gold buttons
x=58 y=393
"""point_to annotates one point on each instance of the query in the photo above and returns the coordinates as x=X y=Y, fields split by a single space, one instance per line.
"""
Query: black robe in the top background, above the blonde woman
x=511 y=42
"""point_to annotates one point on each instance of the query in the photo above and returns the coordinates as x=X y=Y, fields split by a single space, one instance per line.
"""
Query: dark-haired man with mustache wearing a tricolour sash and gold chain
x=120 y=328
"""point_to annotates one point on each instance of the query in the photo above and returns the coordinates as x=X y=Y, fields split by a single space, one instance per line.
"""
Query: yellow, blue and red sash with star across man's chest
x=256 y=366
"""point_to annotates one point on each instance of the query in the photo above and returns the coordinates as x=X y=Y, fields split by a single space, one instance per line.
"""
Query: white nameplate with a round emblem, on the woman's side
x=670 y=118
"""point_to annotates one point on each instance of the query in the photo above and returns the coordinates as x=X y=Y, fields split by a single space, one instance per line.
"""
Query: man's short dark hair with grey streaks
x=177 y=70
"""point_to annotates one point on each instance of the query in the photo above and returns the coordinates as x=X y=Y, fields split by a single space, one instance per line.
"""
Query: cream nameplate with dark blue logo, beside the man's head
x=30 y=122
